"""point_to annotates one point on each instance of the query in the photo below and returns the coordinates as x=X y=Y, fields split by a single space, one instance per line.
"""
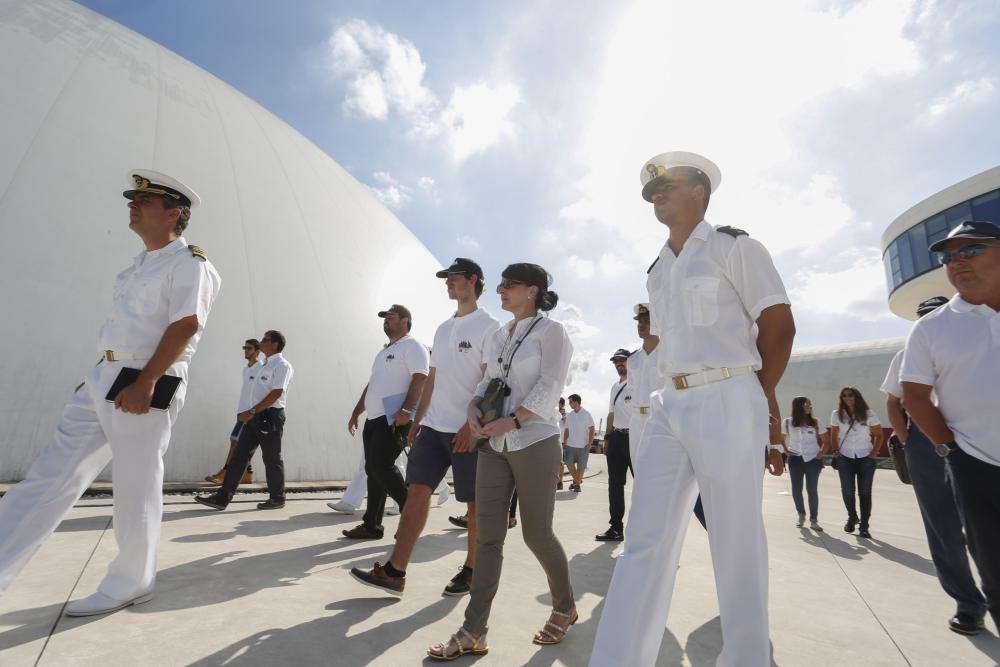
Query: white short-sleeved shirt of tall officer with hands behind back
x=705 y=301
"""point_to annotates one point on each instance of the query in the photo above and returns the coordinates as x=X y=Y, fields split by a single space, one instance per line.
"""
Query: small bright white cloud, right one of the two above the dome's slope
x=478 y=117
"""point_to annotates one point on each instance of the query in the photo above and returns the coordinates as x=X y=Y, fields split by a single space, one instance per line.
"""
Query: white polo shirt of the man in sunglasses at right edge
x=956 y=350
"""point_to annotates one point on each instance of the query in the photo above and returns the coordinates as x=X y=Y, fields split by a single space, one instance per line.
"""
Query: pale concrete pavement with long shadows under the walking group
x=246 y=588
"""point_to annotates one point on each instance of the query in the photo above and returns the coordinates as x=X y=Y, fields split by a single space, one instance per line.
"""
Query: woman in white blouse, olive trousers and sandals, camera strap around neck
x=532 y=354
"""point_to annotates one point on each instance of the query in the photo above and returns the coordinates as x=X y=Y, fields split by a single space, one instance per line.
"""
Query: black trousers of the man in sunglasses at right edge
x=977 y=492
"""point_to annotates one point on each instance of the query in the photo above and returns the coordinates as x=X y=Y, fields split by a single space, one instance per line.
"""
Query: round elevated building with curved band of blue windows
x=912 y=272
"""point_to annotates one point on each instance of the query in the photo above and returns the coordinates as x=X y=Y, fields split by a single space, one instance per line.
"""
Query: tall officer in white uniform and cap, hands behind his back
x=708 y=427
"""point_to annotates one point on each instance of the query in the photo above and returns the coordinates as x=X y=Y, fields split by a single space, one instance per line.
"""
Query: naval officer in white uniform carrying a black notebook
x=159 y=308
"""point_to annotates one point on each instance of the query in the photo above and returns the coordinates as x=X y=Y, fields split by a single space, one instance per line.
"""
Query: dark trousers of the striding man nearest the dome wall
x=263 y=431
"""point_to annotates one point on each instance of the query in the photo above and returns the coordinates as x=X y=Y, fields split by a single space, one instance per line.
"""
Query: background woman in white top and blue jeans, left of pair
x=805 y=443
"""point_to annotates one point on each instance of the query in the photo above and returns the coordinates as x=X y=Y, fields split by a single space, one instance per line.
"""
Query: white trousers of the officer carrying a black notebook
x=90 y=433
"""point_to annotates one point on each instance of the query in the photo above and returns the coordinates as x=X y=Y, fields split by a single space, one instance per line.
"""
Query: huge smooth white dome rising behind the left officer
x=301 y=245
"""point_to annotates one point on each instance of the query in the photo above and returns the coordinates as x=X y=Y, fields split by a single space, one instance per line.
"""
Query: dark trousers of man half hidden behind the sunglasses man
x=942 y=523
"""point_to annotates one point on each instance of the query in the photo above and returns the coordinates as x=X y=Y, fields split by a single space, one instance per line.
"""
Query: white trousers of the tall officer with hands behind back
x=712 y=437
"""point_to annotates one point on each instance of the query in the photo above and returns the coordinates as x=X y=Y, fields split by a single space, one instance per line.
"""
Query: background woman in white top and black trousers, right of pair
x=856 y=436
